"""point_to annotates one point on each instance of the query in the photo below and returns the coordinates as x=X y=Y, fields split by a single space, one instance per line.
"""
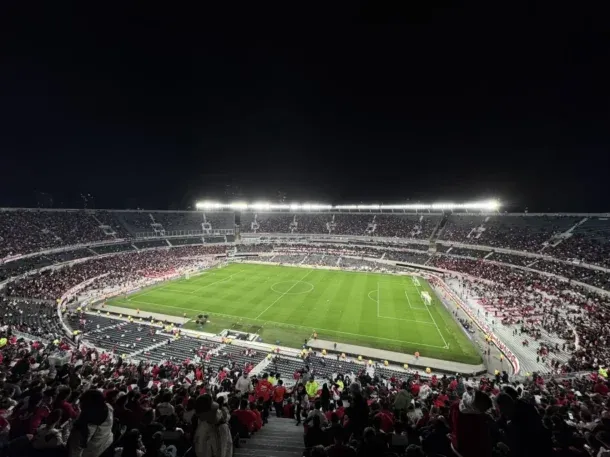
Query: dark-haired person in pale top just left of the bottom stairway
x=212 y=436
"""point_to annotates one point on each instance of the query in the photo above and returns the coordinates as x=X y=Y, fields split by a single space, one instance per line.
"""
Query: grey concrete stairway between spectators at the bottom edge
x=278 y=438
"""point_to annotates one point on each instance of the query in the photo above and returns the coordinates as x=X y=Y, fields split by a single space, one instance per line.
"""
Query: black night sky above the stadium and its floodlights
x=156 y=108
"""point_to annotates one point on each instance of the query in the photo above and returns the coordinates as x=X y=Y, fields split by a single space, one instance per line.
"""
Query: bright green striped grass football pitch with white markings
x=287 y=304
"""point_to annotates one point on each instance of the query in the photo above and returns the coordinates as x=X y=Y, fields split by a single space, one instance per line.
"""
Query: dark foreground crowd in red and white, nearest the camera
x=71 y=401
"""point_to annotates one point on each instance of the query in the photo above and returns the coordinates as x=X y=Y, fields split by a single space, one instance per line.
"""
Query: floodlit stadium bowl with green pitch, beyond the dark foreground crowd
x=381 y=292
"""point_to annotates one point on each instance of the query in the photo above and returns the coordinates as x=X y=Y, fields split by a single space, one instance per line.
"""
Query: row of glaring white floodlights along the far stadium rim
x=485 y=205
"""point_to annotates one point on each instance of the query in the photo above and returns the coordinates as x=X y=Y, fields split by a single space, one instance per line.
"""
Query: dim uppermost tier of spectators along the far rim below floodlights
x=27 y=231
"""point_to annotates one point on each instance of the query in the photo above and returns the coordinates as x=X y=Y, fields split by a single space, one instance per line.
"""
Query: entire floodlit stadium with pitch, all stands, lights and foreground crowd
x=410 y=320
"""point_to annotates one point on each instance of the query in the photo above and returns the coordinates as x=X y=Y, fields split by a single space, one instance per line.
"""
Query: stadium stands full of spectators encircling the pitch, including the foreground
x=537 y=283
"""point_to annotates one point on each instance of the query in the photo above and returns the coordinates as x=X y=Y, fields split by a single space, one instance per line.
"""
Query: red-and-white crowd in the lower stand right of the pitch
x=535 y=301
